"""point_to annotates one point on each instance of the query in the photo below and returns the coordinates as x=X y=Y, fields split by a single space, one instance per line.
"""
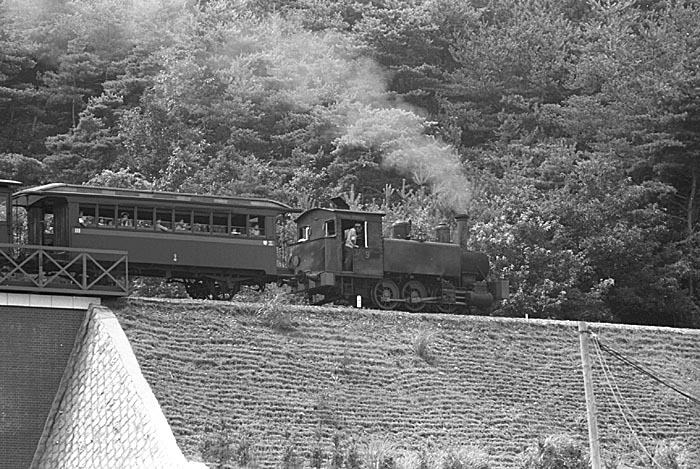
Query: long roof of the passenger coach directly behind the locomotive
x=32 y=194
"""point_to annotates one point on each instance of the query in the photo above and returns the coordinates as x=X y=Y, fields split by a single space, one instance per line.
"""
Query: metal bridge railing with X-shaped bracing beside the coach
x=47 y=269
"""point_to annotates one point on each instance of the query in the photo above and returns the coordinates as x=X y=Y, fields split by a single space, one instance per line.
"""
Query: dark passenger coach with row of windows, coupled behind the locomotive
x=212 y=244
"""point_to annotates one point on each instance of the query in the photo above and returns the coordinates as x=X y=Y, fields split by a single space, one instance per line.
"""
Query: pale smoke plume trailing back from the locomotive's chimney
x=327 y=73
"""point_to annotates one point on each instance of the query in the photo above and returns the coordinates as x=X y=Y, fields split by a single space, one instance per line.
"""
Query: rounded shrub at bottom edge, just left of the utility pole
x=554 y=452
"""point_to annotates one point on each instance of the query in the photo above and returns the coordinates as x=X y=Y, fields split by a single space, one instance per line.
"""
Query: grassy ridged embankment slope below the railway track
x=496 y=383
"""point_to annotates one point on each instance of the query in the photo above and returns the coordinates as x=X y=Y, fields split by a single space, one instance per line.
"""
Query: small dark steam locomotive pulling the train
x=389 y=273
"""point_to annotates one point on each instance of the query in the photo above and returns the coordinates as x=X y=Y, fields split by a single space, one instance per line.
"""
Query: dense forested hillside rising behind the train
x=567 y=129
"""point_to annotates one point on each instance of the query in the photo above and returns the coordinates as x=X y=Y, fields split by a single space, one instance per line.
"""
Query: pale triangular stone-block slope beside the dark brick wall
x=105 y=414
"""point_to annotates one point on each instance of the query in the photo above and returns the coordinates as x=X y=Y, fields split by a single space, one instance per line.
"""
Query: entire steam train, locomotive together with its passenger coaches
x=84 y=240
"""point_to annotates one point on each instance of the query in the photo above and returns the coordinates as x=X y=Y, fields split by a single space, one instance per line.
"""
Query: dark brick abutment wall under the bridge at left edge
x=35 y=345
